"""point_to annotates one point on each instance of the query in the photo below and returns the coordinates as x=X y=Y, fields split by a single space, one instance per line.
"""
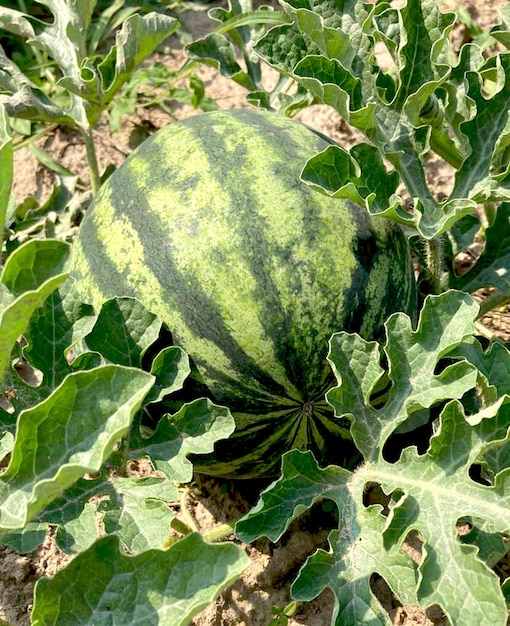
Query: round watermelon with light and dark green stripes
x=208 y=224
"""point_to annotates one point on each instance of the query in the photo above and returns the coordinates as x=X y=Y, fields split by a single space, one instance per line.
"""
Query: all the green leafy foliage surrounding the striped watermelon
x=428 y=408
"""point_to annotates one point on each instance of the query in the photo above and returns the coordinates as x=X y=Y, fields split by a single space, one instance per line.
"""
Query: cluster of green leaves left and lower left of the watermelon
x=72 y=436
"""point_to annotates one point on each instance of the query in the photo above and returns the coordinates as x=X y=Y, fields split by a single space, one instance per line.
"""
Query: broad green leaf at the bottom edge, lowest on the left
x=153 y=587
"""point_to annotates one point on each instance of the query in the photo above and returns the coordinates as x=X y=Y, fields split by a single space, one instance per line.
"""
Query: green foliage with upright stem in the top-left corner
x=59 y=66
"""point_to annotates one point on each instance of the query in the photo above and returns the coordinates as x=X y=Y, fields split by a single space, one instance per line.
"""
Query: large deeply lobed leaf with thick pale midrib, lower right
x=428 y=492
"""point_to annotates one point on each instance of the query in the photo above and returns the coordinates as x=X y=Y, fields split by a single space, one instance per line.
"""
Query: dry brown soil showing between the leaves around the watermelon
x=210 y=501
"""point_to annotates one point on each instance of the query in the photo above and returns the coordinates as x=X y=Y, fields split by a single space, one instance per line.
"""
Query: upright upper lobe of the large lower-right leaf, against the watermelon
x=445 y=321
